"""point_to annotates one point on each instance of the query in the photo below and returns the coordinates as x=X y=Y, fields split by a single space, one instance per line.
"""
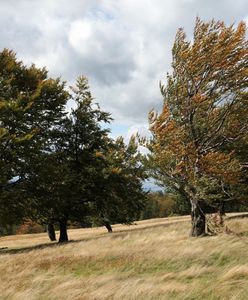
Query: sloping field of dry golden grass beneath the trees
x=154 y=259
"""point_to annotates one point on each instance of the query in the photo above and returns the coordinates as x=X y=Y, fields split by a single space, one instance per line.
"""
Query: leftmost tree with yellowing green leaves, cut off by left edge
x=31 y=105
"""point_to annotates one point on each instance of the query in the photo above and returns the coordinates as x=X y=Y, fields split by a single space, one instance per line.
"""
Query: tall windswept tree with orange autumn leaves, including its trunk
x=203 y=116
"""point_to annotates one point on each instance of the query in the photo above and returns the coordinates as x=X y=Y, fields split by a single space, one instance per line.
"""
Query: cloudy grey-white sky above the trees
x=122 y=46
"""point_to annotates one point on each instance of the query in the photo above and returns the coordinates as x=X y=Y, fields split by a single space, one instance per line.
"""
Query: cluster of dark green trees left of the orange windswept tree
x=58 y=164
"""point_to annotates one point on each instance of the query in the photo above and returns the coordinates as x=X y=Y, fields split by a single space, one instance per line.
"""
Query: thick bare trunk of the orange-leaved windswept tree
x=198 y=220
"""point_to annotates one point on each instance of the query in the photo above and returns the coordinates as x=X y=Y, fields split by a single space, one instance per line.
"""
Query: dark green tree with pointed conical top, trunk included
x=61 y=179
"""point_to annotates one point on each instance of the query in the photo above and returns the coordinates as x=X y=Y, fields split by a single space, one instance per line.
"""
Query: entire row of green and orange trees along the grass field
x=59 y=165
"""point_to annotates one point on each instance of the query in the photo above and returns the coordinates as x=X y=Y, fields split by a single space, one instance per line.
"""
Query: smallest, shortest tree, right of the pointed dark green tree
x=118 y=184
